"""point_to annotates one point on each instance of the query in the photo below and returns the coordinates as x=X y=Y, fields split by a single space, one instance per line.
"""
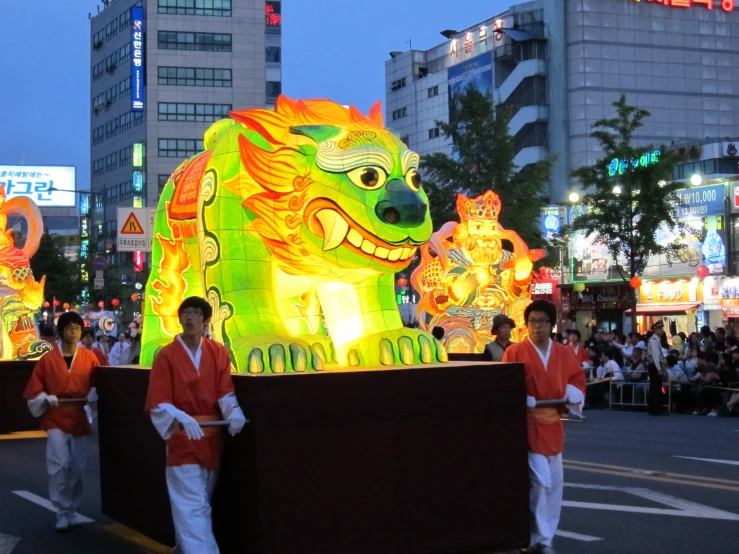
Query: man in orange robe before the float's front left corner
x=191 y=383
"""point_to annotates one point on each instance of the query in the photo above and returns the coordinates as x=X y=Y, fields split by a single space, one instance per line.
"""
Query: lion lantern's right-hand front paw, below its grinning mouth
x=400 y=346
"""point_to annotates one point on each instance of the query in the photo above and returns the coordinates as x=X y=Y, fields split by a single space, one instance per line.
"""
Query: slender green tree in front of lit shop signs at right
x=629 y=195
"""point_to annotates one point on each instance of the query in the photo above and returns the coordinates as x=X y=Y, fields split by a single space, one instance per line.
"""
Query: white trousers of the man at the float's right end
x=545 y=496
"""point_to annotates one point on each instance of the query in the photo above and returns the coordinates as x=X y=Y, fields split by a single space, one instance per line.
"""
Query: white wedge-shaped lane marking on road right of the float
x=679 y=507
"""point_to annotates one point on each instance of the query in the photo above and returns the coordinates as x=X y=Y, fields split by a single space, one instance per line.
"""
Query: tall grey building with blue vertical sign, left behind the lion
x=161 y=72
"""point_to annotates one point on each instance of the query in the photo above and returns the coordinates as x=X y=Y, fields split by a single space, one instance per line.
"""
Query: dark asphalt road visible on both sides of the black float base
x=626 y=491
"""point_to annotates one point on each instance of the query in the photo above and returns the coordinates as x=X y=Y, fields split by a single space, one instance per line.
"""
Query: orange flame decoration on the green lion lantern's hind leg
x=175 y=261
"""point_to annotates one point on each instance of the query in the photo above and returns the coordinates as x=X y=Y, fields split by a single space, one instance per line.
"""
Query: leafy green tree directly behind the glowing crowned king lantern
x=482 y=160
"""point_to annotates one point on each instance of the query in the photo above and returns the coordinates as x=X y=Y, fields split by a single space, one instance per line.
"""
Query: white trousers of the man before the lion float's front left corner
x=190 y=488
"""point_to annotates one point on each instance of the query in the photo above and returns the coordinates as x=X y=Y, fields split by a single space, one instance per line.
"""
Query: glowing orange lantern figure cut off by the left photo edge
x=20 y=294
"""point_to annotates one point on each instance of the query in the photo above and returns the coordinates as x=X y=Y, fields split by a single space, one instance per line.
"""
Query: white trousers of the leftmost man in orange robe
x=66 y=456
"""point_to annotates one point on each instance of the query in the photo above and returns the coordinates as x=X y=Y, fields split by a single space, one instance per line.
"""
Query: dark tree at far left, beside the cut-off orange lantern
x=62 y=275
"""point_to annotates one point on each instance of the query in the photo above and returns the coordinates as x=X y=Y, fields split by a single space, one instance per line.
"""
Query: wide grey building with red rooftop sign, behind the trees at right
x=560 y=64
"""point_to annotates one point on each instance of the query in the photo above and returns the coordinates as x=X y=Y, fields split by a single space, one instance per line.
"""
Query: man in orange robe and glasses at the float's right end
x=552 y=373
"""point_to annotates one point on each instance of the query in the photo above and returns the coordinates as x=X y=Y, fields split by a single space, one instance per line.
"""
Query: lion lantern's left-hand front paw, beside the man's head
x=280 y=354
